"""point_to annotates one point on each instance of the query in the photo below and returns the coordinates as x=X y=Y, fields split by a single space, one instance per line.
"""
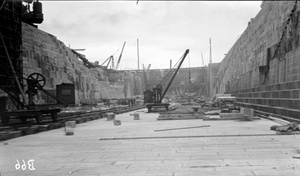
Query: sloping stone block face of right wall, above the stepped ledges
x=242 y=63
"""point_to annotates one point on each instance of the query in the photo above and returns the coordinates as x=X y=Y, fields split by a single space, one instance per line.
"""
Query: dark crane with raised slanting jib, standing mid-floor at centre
x=154 y=98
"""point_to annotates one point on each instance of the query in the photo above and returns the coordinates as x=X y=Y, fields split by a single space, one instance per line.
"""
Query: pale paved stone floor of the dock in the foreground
x=134 y=148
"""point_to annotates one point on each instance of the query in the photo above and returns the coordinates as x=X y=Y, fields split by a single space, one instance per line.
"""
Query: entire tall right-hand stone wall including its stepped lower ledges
x=263 y=67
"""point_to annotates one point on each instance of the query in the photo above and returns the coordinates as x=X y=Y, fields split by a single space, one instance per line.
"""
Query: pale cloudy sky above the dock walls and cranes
x=165 y=29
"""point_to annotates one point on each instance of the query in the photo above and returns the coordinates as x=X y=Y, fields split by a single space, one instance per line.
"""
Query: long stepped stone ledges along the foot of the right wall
x=281 y=99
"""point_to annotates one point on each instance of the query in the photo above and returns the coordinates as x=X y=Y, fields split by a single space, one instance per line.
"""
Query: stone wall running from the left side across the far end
x=45 y=54
